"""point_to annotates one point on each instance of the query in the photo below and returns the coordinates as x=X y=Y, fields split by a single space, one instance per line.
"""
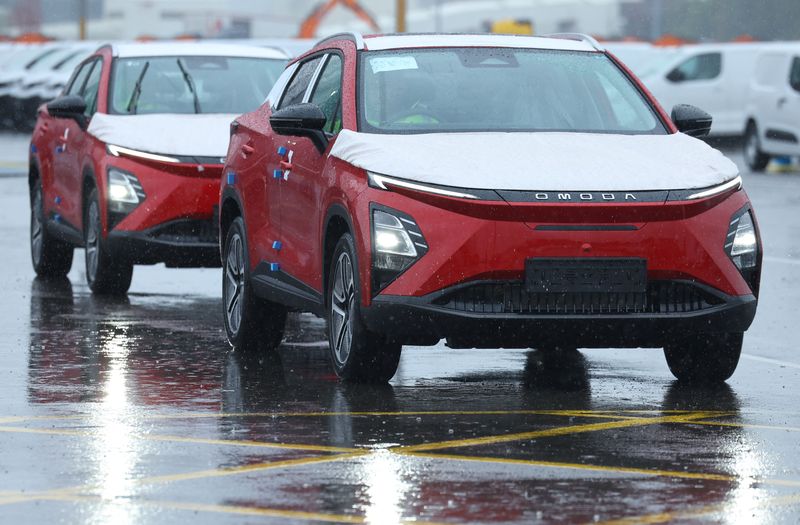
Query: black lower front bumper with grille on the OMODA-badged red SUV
x=501 y=314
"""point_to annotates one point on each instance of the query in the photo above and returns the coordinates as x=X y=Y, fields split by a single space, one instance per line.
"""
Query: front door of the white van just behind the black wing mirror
x=697 y=80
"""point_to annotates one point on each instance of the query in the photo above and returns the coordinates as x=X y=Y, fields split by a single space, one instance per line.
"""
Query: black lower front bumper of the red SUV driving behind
x=177 y=244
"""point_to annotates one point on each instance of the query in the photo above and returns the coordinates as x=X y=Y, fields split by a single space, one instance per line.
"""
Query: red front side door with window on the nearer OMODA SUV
x=303 y=187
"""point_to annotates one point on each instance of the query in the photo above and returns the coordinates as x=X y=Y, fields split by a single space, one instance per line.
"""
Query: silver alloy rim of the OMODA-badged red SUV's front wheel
x=343 y=299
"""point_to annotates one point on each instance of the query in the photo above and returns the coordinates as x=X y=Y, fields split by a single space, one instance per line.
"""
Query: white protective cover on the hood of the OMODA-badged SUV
x=540 y=161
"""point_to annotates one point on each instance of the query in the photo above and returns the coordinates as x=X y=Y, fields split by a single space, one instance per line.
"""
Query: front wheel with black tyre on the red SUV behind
x=104 y=274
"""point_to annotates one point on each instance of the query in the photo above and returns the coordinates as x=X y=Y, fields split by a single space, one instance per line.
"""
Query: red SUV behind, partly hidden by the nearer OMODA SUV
x=127 y=161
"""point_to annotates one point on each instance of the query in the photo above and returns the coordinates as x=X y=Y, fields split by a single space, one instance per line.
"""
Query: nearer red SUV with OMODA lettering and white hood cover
x=493 y=191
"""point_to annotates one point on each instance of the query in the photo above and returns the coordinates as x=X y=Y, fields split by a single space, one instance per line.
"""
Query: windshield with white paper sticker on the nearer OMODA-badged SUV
x=499 y=89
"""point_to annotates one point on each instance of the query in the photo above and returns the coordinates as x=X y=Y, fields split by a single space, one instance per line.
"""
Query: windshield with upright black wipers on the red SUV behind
x=191 y=84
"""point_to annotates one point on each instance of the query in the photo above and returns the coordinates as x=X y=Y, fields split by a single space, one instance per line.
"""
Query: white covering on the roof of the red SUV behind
x=155 y=49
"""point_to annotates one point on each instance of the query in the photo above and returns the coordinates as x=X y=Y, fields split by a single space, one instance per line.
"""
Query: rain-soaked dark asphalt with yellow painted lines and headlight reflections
x=135 y=411
